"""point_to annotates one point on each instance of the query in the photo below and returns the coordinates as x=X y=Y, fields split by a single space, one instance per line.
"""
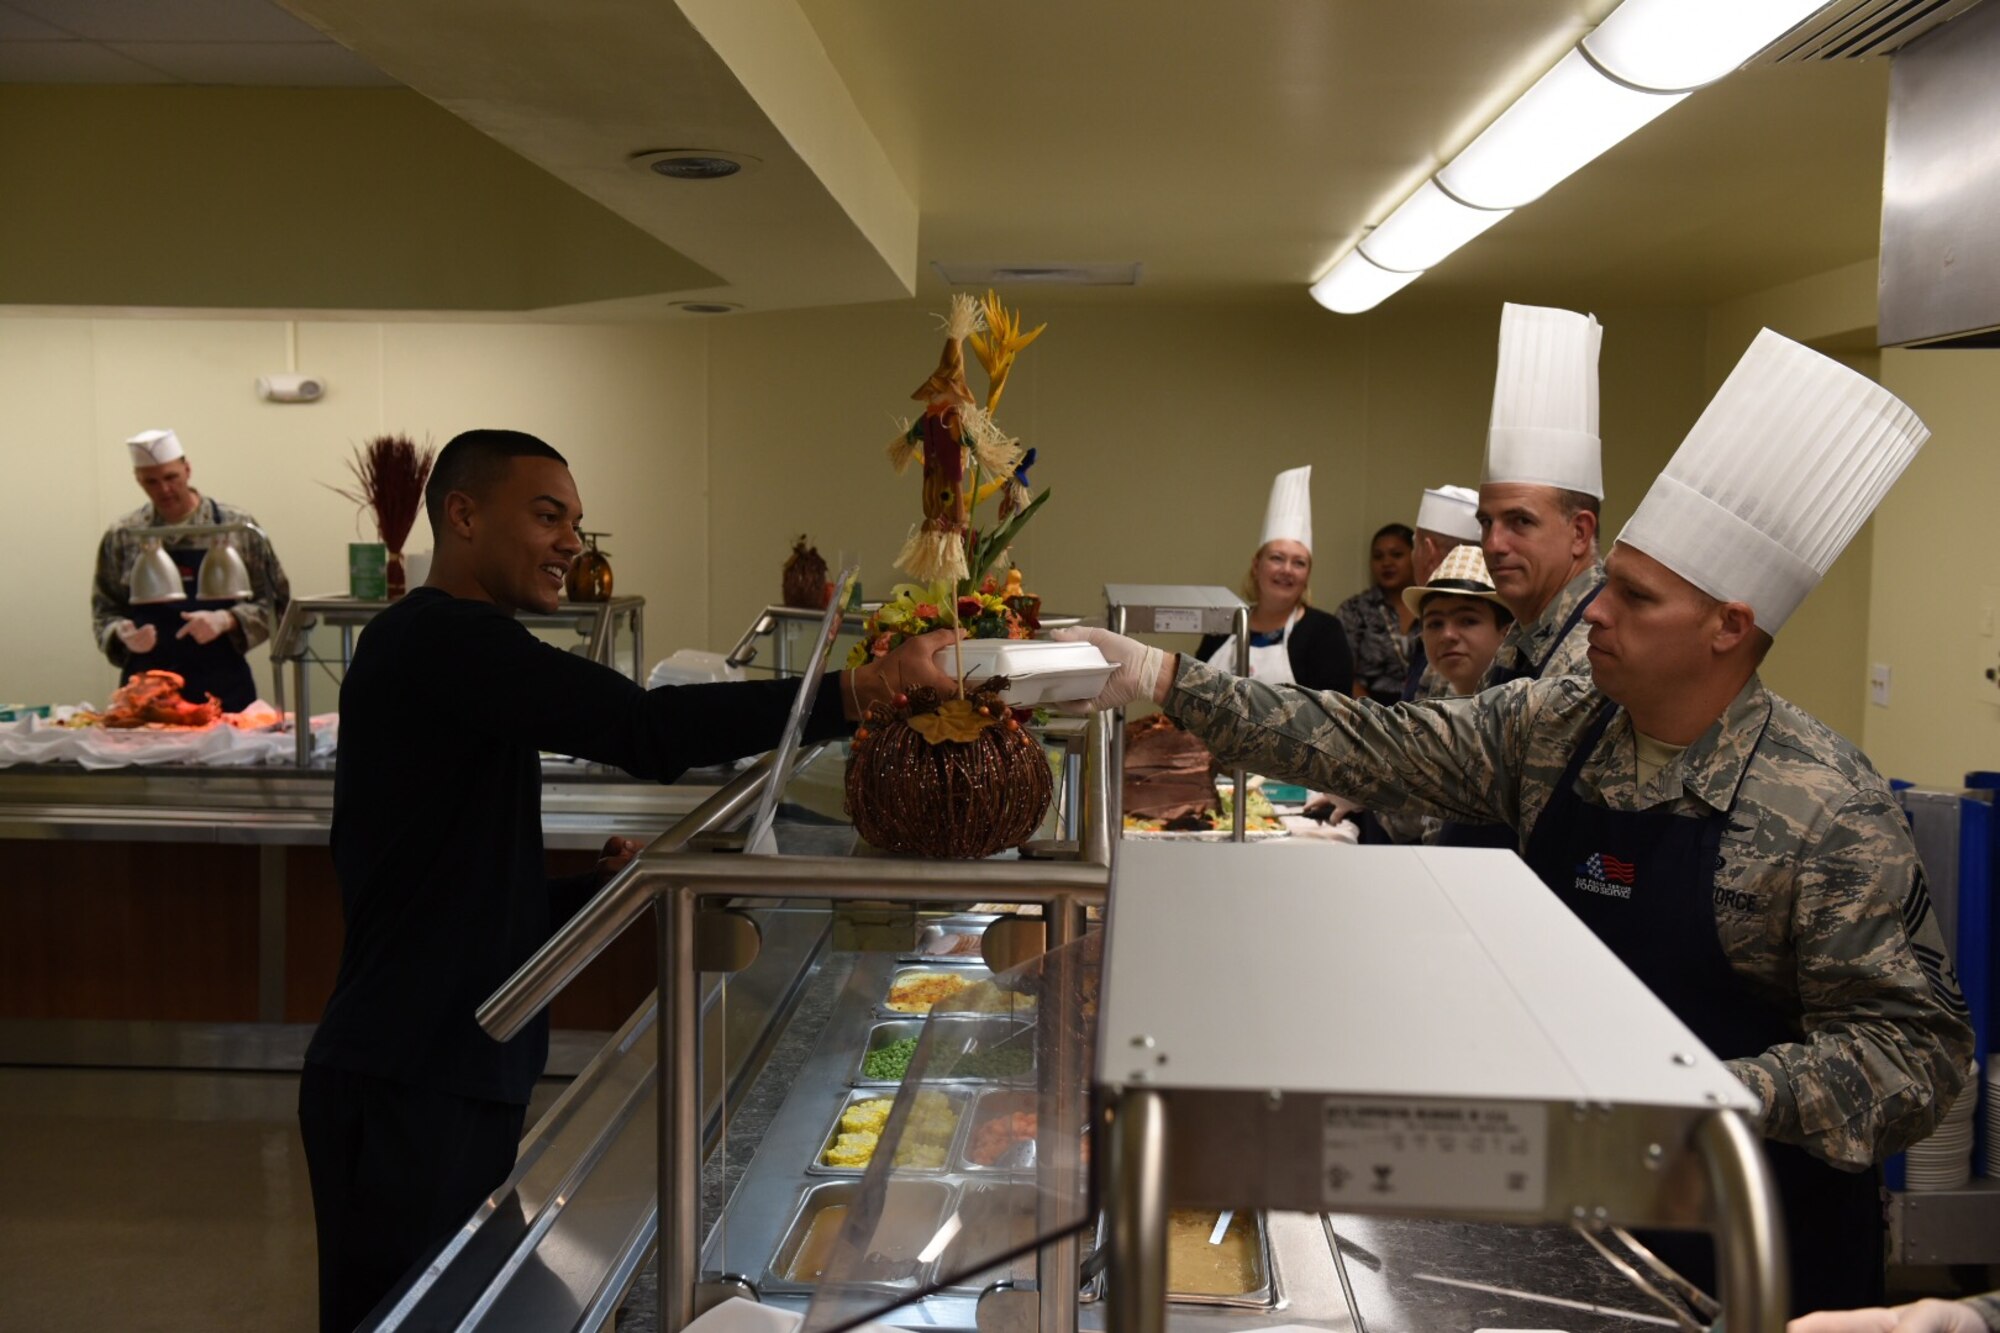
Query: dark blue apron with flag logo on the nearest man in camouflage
x=1645 y=884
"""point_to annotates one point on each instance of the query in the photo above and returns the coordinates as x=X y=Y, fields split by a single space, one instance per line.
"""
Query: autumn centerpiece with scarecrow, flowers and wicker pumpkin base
x=955 y=778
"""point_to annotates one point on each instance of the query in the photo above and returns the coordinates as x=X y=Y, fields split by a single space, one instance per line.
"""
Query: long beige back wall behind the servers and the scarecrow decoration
x=707 y=449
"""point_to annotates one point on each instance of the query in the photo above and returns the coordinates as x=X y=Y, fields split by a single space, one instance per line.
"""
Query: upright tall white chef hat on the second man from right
x=1545 y=425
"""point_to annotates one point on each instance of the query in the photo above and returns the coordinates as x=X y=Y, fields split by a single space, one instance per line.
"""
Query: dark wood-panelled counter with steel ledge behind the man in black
x=207 y=898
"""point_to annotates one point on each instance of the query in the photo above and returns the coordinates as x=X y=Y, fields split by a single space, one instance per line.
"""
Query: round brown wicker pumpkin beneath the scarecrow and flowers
x=957 y=780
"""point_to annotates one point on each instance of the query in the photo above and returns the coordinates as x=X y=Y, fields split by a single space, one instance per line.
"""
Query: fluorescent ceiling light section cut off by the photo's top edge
x=1677 y=45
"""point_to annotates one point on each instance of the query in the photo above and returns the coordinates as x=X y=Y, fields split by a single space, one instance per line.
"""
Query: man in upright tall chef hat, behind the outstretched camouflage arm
x=1543 y=487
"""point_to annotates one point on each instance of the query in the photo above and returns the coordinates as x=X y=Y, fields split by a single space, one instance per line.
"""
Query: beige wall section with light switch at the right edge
x=1935 y=585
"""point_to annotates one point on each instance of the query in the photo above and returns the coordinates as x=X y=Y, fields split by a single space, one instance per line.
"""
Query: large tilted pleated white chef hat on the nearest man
x=1775 y=479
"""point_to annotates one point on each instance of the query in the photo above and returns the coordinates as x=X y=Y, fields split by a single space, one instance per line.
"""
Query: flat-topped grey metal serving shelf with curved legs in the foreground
x=1421 y=1032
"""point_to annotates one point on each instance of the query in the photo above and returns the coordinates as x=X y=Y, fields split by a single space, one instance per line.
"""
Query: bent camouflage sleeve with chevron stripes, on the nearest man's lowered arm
x=1887 y=1042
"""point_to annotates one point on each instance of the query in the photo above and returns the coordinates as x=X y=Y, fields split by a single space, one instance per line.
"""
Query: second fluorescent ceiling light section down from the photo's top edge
x=1563 y=123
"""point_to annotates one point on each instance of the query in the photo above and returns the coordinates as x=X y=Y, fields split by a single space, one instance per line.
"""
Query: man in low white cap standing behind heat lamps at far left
x=203 y=639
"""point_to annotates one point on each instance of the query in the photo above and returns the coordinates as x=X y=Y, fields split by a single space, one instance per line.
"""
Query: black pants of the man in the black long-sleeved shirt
x=395 y=1172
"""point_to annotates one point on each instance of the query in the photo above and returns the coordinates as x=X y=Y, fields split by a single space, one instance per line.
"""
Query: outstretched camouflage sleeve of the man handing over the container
x=1457 y=758
